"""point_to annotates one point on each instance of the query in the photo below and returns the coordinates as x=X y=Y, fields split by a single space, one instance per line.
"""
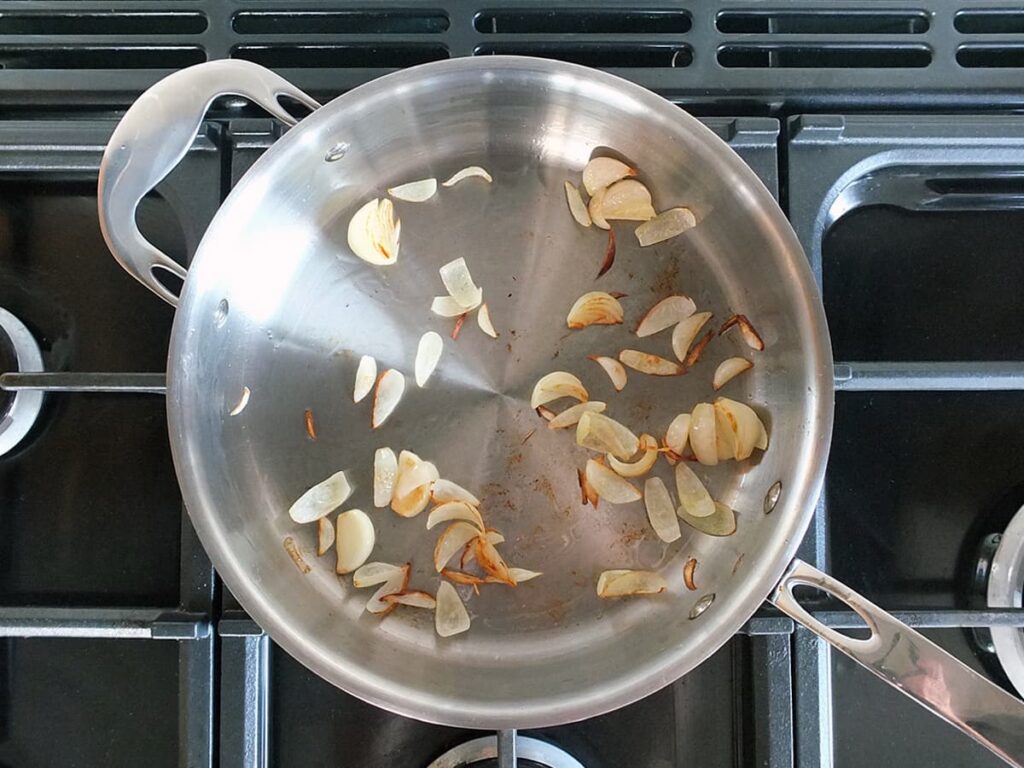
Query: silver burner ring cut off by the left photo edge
x=19 y=352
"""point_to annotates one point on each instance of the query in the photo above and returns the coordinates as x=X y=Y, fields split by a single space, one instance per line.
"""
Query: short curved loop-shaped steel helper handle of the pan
x=155 y=135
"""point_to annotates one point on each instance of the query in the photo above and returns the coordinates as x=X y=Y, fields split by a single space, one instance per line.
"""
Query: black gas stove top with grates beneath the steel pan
x=121 y=647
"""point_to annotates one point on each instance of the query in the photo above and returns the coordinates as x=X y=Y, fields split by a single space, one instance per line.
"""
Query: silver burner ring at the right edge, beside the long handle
x=1006 y=584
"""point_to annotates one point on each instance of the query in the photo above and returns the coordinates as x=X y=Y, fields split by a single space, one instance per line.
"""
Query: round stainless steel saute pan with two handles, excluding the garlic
x=276 y=302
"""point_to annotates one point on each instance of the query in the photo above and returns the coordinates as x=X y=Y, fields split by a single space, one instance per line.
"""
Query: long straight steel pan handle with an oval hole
x=908 y=661
